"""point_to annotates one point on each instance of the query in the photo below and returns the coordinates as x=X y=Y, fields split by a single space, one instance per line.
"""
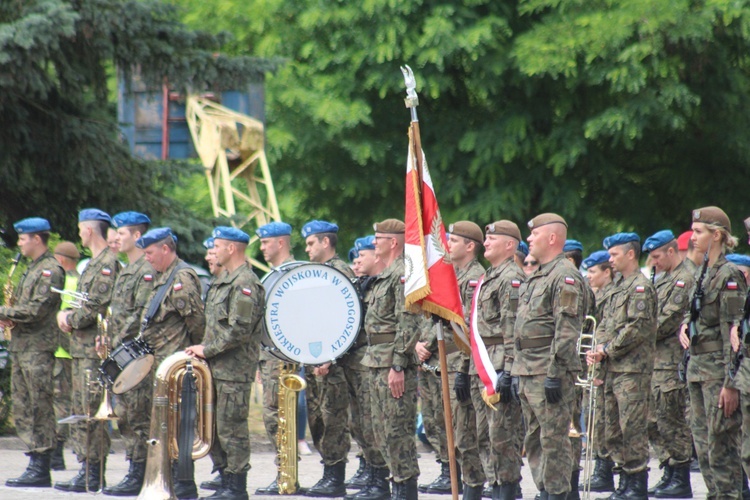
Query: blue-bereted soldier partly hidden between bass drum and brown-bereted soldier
x=376 y=471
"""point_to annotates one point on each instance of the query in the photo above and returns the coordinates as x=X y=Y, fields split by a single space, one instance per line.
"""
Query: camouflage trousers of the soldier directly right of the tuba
x=231 y=447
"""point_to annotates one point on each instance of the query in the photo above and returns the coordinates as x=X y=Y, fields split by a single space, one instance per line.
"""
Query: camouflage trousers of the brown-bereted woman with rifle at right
x=717 y=440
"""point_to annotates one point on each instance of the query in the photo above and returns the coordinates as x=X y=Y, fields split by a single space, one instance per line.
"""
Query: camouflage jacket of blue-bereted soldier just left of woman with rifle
x=672 y=290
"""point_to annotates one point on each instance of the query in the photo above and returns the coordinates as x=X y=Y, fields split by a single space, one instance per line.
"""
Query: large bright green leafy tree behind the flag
x=618 y=115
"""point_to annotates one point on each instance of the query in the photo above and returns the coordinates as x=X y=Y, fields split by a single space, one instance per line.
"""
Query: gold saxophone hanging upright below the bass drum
x=290 y=384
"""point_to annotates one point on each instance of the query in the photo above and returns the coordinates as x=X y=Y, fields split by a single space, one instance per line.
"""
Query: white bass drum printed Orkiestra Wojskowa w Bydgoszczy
x=313 y=313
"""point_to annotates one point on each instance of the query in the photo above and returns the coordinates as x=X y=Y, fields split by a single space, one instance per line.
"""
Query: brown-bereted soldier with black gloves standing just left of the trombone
x=548 y=323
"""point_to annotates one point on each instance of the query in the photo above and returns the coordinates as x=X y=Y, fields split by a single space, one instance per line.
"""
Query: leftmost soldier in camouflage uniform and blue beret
x=34 y=340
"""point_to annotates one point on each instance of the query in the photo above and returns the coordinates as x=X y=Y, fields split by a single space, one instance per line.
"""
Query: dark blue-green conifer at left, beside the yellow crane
x=60 y=147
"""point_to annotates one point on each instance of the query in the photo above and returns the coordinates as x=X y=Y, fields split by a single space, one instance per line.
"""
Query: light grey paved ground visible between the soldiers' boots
x=13 y=462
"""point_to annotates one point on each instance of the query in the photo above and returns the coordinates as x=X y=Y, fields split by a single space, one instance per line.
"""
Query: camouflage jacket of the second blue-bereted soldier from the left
x=97 y=280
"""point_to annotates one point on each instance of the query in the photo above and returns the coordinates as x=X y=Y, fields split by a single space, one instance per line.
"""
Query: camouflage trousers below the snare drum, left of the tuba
x=134 y=411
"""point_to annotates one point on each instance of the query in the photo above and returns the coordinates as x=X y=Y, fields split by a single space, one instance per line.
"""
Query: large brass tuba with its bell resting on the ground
x=157 y=484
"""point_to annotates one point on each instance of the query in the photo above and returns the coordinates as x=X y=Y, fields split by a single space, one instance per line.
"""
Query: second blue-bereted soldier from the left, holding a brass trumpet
x=97 y=281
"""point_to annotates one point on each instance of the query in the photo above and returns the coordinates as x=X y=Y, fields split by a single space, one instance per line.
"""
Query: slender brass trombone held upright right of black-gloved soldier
x=587 y=342
